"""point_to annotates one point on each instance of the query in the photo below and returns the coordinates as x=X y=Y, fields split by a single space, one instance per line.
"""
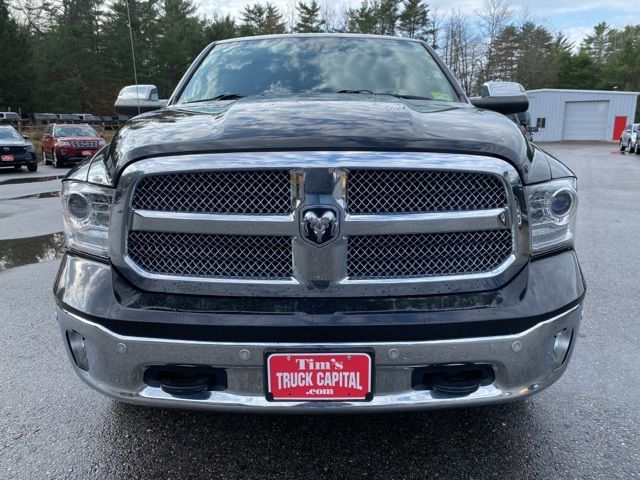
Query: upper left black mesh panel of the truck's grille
x=224 y=192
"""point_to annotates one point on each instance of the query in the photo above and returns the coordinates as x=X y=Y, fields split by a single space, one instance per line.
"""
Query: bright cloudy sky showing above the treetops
x=575 y=17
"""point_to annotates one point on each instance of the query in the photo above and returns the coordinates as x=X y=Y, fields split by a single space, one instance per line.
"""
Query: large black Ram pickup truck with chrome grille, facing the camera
x=320 y=223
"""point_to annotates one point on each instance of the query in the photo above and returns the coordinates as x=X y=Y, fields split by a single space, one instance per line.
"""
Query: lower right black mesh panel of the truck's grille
x=428 y=254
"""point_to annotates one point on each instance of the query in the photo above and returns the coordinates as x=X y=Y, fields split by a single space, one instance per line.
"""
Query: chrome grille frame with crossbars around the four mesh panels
x=320 y=271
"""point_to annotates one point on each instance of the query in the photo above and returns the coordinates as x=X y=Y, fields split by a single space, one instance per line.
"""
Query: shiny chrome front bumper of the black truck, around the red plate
x=523 y=364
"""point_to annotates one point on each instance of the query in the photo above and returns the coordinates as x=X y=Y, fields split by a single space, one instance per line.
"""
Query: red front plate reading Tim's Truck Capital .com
x=319 y=376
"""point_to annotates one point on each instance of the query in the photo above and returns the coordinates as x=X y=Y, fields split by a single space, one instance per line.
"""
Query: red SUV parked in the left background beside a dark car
x=69 y=143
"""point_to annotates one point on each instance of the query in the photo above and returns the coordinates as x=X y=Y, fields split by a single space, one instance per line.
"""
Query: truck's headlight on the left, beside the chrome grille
x=86 y=210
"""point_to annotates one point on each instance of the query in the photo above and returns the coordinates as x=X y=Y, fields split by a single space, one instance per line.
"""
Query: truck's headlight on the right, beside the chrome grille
x=552 y=213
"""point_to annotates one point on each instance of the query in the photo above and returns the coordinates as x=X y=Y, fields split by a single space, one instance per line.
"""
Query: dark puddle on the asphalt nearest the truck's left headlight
x=25 y=251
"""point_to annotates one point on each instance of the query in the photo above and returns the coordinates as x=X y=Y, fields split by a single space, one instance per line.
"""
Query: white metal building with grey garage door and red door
x=580 y=114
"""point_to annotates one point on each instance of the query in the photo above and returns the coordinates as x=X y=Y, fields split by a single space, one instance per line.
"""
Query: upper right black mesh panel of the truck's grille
x=420 y=191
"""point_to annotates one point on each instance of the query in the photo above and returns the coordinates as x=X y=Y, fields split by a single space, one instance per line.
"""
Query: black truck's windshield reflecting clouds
x=298 y=65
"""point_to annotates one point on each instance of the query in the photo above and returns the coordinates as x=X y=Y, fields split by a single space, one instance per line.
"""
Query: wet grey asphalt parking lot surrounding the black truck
x=585 y=426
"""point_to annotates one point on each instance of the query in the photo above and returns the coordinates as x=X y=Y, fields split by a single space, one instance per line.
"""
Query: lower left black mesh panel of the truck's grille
x=204 y=255
